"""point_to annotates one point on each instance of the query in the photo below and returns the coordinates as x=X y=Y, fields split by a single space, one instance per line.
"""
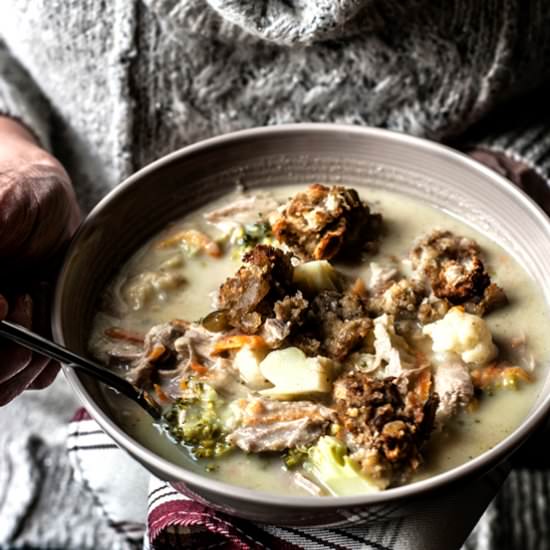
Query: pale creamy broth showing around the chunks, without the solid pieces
x=468 y=435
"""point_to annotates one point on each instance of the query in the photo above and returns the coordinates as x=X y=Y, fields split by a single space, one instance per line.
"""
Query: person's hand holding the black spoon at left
x=38 y=214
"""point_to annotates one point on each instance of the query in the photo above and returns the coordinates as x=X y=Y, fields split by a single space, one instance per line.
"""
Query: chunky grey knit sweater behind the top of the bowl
x=130 y=81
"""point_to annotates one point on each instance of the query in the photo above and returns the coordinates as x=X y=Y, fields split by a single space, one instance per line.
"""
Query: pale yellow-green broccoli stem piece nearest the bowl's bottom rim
x=329 y=463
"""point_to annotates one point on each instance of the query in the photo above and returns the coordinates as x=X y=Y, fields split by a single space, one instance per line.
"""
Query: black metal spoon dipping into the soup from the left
x=34 y=342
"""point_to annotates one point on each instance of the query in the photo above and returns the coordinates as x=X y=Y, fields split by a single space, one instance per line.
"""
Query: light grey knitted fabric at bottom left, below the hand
x=41 y=504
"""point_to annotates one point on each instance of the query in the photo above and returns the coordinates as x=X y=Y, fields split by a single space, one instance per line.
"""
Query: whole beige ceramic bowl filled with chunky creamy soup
x=338 y=322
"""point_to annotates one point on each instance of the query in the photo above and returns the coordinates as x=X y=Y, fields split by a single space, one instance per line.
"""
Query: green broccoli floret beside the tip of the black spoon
x=195 y=421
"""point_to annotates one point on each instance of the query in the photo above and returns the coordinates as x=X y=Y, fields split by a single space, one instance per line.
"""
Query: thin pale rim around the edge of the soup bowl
x=173 y=472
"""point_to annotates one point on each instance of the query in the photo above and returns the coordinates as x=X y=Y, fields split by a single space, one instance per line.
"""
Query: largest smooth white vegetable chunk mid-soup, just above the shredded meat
x=294 y=375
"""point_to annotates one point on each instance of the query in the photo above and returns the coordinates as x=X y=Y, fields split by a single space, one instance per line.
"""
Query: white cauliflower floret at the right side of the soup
x=462 y=333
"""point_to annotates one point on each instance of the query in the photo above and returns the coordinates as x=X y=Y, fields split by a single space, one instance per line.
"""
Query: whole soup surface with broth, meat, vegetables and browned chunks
x=308 y=340
